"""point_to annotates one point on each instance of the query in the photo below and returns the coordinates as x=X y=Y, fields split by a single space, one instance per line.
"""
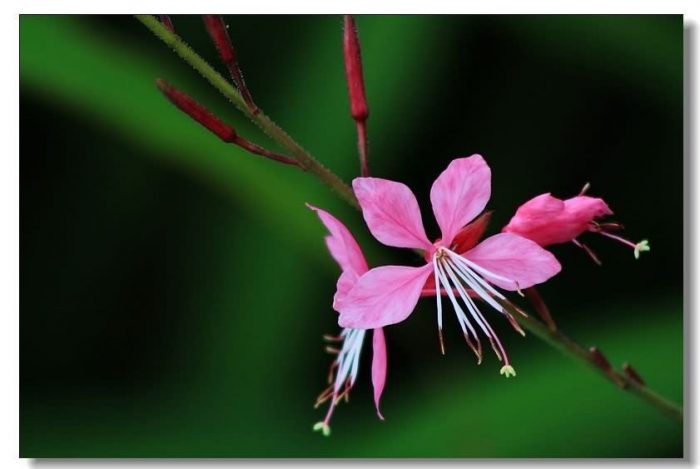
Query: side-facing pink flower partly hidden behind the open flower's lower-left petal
x=346 y=252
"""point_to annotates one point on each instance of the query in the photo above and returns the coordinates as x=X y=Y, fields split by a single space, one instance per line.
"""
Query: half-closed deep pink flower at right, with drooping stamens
x=547 y=220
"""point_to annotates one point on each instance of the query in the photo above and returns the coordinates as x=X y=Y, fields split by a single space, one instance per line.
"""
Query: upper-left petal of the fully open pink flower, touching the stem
x=391 y=212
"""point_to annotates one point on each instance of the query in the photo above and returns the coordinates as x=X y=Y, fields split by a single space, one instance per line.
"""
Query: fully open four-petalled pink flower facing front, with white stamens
x=388 y=294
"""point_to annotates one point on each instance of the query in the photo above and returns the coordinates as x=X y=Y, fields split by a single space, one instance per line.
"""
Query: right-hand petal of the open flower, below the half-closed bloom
x=515 y=258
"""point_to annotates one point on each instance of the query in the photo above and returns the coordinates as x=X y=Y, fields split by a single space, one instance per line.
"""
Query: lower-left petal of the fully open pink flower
x=384 y=295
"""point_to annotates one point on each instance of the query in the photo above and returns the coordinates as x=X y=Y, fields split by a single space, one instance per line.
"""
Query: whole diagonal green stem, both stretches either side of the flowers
x=554 y=338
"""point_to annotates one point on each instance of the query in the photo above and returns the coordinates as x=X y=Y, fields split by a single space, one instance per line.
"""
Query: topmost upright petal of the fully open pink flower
x=459 y=194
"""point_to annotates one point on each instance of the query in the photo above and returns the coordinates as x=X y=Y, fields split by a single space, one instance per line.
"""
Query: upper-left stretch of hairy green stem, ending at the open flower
x=307 y=162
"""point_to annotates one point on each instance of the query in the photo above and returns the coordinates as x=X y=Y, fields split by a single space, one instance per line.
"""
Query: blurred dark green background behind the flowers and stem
x=174 y=289
